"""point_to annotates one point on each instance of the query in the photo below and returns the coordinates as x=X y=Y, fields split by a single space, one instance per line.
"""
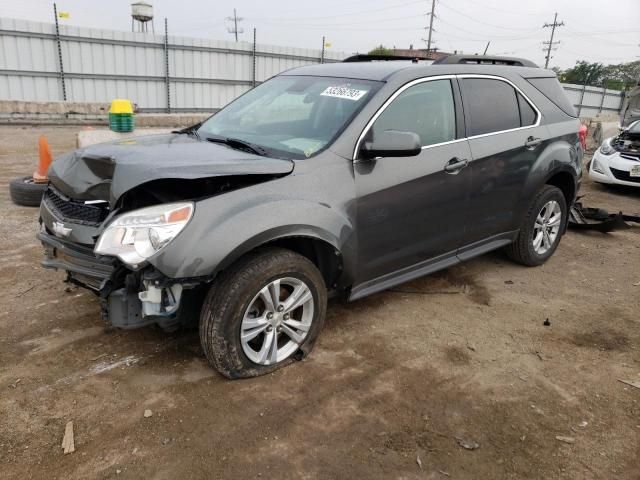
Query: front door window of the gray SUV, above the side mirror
x=426 y=109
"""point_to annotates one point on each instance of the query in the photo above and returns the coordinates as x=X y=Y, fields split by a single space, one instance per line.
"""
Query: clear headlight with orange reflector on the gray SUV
x=135 y=236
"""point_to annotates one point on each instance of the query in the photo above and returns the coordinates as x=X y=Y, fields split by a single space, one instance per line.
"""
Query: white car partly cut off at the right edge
x=617 y=161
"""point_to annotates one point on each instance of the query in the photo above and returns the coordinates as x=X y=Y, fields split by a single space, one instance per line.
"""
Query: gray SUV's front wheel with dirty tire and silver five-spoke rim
x=263 y=313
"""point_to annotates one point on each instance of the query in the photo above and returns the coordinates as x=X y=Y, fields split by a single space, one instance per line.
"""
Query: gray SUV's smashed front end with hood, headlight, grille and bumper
x=110 y=208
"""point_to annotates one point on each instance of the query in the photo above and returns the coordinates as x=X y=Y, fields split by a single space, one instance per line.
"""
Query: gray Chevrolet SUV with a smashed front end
x=329 y=180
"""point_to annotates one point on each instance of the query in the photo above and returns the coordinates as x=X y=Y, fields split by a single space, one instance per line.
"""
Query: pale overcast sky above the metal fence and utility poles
x=593 y=31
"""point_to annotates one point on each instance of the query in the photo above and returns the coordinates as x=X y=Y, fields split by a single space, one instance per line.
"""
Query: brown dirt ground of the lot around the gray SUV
x=397 y=382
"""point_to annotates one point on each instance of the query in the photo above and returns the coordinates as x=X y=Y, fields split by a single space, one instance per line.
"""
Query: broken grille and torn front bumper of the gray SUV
x=131 y=295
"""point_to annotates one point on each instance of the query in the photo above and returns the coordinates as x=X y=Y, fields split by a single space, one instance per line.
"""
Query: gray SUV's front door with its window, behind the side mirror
x=411 y=210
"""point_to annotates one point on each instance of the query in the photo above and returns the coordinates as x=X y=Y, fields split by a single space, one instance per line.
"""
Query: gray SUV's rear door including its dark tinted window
x=505 y=136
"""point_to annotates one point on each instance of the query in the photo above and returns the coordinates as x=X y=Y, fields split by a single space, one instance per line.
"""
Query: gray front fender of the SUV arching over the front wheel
x=225 y=227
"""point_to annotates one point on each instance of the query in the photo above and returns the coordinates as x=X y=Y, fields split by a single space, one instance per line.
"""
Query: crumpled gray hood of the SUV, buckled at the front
x=107 y=170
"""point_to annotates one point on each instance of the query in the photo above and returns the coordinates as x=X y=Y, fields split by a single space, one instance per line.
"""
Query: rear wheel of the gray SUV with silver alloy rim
x=532 y=247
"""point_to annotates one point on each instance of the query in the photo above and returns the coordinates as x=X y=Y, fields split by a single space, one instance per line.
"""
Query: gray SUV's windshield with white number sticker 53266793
x=291 y=116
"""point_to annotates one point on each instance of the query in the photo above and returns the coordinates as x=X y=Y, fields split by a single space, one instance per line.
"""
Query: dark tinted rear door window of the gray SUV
x=492 y=105
